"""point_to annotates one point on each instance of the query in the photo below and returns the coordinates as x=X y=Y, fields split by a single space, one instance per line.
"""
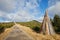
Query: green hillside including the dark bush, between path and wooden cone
x=34 y=25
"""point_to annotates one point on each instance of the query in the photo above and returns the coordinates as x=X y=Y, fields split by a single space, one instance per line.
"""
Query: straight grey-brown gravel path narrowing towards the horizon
x=18 y=34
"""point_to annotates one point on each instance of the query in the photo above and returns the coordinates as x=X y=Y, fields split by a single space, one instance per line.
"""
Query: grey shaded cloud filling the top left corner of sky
x=7 y=5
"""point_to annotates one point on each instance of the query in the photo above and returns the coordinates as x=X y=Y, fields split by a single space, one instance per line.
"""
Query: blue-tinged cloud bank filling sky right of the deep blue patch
x=54 y=7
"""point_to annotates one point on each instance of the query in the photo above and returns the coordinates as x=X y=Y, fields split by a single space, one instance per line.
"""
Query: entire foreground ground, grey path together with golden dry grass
x=16 y=32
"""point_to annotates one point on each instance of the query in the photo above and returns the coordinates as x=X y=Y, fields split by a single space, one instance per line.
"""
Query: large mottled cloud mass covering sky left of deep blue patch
x=25 y=10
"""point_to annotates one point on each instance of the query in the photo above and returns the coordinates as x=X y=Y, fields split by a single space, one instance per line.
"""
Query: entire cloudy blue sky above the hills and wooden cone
x=27 y=10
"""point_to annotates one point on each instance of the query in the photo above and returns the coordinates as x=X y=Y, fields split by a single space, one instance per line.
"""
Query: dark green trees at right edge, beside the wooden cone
x=56 y=23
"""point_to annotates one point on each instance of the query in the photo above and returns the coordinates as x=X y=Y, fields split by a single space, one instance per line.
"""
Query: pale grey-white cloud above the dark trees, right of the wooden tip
x=54 y=9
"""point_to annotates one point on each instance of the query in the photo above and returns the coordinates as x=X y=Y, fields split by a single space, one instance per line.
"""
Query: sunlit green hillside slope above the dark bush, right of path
x=31 y=24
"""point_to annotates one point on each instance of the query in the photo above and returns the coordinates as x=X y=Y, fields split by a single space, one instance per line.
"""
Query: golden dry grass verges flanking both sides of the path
x=36 y=36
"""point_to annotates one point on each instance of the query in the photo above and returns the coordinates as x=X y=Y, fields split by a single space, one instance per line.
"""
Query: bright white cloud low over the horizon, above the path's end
x=21 y=16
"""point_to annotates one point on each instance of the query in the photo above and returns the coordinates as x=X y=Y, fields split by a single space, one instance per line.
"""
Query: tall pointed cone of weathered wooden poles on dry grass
x=46 y=25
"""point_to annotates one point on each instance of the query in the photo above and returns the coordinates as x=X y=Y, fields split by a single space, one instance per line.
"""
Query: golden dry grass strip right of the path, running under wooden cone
x=38 y=36
